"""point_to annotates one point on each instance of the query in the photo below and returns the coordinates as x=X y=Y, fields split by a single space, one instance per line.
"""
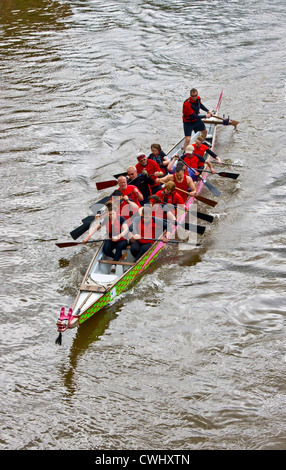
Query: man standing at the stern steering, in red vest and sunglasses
x=192 y=120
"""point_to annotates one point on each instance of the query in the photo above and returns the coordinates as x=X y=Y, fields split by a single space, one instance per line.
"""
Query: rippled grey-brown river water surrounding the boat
x=192 y=356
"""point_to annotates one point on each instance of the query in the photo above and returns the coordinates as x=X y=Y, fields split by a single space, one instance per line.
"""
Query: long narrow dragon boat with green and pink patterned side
x=99 y=286
